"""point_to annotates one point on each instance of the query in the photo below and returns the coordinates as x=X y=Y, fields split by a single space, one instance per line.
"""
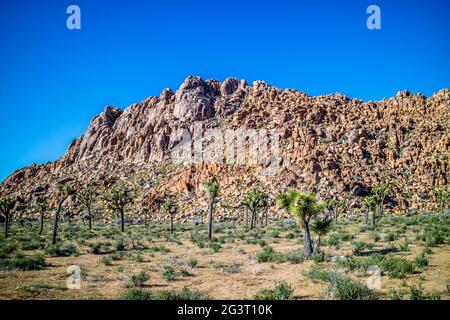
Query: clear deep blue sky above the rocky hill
x=53 y=80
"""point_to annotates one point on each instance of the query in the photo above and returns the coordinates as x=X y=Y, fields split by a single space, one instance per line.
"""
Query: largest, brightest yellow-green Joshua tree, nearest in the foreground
x=304 y=206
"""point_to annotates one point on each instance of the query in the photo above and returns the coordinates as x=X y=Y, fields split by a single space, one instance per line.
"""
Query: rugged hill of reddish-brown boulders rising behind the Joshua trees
x=331 y=144
